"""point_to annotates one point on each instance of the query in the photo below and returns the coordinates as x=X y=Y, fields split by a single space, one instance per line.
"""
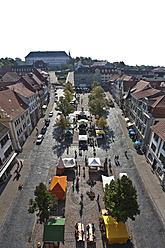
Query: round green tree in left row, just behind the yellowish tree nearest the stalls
x=64 y=106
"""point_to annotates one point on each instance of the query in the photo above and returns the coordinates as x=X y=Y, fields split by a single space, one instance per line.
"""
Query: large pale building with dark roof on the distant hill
x=52 y=59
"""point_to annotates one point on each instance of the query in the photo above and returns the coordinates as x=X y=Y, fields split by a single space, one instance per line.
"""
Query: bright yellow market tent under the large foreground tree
x=115 y=232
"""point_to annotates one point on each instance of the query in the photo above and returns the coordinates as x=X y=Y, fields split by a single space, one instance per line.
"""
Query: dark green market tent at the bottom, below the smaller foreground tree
x=54 y=230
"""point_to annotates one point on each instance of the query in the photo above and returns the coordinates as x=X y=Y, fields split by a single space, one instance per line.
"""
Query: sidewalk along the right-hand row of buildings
x=150 y=180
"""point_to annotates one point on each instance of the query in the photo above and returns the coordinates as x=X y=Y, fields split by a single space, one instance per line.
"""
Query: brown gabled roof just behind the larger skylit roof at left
x=21 y=90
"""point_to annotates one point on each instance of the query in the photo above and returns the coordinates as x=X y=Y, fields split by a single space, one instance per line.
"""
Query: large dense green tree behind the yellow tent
x=120 y=198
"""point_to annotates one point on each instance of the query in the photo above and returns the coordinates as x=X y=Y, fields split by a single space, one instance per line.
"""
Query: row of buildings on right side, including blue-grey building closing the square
x=141 y=96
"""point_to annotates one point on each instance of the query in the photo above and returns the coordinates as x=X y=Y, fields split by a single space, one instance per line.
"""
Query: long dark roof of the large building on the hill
x=47 y=54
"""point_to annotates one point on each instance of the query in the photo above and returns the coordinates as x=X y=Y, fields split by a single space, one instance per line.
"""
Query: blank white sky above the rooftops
x=113 y=30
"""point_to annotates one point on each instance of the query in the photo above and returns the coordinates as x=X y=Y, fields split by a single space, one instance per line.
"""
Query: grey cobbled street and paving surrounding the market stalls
x=147 y=230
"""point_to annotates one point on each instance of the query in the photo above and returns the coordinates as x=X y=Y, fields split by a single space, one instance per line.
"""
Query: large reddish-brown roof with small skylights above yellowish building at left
x=12 y=104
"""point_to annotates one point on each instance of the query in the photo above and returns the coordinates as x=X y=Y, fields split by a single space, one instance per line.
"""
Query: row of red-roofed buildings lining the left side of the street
x=23 y=100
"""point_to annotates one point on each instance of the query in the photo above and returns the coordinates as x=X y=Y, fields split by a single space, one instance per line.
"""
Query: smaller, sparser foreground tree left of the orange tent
x=43 y=203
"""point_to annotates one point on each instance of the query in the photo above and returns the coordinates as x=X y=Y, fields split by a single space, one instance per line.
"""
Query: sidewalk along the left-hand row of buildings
x=11 y=188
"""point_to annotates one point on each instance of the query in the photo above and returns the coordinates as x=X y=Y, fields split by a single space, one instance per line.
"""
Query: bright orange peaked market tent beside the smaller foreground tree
x=58 y=187
